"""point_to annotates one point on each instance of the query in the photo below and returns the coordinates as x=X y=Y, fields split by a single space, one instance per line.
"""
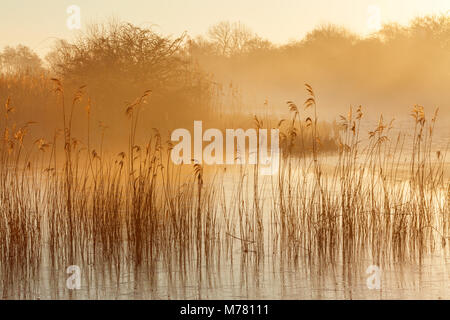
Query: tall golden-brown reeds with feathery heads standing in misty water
x=132 y=215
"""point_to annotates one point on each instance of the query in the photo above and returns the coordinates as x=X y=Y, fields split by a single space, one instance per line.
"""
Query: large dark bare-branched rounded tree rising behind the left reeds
x=117 y=62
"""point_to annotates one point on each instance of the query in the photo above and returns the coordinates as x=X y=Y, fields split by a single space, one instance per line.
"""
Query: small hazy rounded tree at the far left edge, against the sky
x=20 y=59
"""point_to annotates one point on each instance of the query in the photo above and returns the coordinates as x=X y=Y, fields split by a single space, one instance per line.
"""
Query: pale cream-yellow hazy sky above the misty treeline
x=37 y=23
